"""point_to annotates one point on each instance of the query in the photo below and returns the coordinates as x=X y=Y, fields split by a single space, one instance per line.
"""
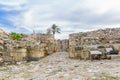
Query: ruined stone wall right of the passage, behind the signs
x=80 y=44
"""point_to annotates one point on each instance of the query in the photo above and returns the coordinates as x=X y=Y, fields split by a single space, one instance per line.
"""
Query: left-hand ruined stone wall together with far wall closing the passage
x=31 y=47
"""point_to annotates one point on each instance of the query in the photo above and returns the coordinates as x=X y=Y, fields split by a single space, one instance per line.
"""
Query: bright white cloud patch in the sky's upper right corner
x=102 y=6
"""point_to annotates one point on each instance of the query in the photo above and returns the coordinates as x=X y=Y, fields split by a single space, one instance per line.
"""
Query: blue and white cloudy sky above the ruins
x=70 y=15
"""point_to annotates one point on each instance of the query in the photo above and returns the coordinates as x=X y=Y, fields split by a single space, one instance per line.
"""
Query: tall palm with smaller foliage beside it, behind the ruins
x=54 y=29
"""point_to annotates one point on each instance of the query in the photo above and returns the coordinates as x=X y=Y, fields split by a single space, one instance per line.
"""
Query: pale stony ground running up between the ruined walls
x=58 y=66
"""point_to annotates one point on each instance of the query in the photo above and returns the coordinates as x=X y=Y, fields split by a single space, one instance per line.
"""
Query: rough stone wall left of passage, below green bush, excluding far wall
x=30 y=47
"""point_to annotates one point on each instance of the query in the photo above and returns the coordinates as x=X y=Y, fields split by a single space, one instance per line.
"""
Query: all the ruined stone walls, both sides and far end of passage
x=32 y=47
